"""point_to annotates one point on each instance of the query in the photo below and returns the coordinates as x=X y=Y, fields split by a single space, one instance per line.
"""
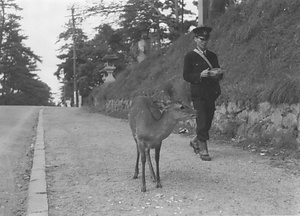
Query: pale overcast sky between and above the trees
x=42 y=22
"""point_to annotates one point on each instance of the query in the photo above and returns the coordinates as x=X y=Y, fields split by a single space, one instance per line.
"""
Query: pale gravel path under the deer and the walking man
x=90 y=164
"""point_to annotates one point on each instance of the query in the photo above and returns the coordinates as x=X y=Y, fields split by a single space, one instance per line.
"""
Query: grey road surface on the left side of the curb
x=17 y=130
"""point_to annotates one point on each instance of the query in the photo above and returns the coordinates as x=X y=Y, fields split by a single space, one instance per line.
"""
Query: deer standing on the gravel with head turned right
x=150 y=126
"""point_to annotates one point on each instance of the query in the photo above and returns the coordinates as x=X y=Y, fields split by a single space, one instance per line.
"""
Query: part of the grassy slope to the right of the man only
x=259 y=48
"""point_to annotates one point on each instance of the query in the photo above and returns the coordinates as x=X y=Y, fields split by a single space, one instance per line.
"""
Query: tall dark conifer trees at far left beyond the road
x=18 y=82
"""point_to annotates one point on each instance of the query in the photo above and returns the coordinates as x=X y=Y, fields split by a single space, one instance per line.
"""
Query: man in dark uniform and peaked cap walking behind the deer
x=202 y=70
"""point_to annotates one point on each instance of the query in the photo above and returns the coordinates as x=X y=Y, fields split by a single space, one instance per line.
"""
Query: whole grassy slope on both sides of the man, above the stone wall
x=258 y=46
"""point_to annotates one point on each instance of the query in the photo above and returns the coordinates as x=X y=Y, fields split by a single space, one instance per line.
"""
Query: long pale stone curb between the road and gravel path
x=37 y=204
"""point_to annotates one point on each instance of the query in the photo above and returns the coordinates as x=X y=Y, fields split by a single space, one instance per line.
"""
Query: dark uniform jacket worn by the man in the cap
x=205 y=88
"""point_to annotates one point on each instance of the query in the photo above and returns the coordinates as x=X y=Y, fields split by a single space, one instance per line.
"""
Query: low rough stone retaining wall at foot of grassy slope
x=276 y=125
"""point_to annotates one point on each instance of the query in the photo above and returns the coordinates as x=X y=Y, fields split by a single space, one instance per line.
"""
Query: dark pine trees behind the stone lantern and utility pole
x=136 y=18
